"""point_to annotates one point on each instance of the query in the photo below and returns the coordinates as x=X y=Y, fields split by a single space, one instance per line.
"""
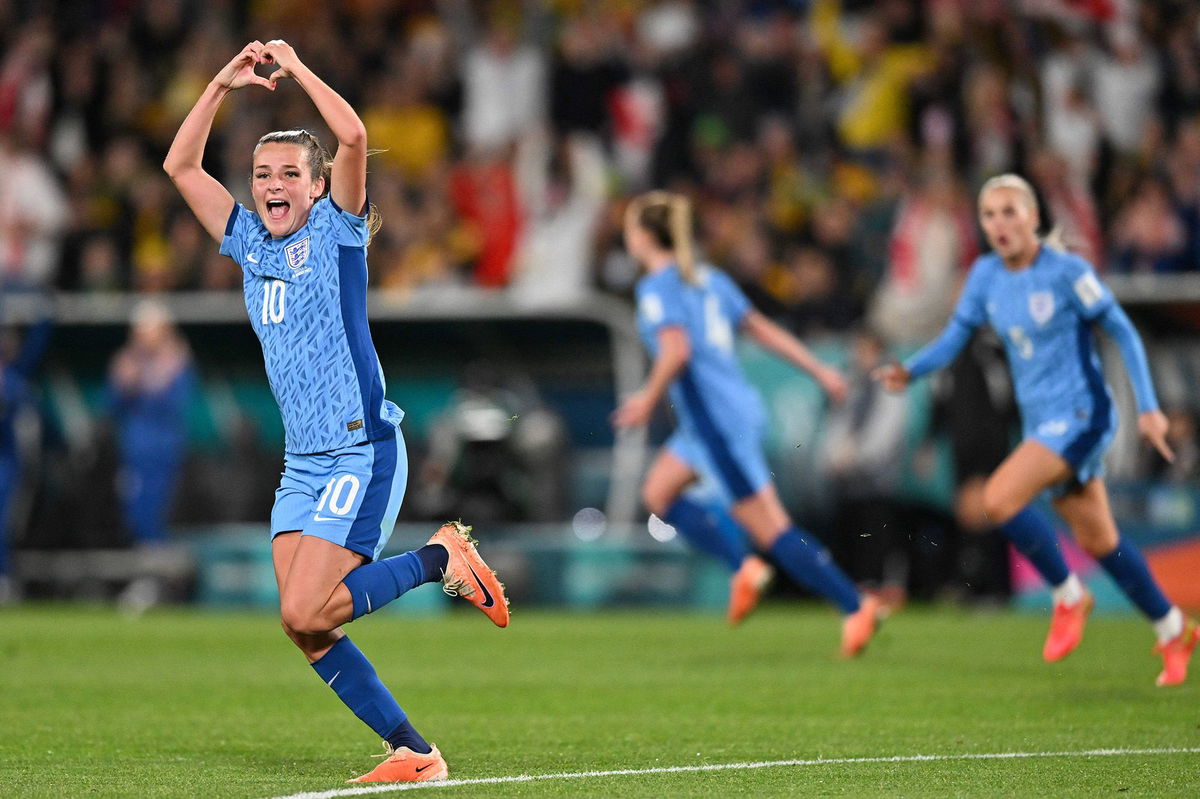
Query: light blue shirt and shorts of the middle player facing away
x=722 y=417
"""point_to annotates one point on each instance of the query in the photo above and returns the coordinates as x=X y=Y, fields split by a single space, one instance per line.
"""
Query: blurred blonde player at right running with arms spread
x=1043 y=303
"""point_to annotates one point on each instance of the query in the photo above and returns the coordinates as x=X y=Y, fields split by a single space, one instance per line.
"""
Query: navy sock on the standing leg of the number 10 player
x=356 y=683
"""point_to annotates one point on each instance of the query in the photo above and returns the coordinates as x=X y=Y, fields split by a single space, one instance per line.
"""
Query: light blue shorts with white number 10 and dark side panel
x=350 y=497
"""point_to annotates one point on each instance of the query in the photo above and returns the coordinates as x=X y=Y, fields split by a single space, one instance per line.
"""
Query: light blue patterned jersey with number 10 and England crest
x=307 y=299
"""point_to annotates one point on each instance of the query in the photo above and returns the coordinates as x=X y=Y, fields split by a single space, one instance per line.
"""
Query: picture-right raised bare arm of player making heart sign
x=349 y=179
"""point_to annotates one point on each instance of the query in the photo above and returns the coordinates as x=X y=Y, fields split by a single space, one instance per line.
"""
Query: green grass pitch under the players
x=184 y=704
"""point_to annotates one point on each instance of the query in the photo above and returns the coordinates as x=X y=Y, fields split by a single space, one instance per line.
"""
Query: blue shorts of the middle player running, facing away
x=734 y=465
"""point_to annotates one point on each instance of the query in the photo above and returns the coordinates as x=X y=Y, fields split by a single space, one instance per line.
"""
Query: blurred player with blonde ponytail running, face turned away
x=688 y=316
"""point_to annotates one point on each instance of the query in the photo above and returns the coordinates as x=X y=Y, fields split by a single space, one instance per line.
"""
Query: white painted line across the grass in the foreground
x=730 y=767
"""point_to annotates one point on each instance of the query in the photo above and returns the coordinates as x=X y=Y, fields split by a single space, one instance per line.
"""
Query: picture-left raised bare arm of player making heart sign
x=209 y=201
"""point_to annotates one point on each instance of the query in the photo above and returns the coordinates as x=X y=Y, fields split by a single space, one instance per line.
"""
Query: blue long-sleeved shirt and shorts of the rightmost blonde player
x=1045 y=315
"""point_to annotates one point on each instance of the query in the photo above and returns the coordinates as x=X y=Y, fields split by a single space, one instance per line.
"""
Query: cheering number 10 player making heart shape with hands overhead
x=303 y=253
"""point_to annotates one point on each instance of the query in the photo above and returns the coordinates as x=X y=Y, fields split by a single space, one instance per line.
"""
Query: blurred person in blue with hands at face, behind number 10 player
x=151 y=382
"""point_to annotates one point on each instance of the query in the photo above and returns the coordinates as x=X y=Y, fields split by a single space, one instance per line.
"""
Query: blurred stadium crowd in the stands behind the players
x=832 y=148
